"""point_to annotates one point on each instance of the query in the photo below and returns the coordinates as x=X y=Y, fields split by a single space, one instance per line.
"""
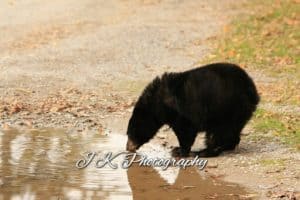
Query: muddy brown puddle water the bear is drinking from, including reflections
x=41 y=165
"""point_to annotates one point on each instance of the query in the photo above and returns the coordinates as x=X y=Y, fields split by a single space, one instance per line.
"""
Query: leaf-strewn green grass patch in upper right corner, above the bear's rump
x=269 y=39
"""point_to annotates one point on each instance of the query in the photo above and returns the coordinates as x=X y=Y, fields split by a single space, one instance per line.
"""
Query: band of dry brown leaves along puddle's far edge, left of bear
x=69 y=100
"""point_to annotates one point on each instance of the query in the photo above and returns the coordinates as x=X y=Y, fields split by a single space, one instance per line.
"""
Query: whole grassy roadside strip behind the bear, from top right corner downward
x=267 y=42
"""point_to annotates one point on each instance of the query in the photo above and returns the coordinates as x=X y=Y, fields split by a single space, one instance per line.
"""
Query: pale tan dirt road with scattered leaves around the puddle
x=80 y=65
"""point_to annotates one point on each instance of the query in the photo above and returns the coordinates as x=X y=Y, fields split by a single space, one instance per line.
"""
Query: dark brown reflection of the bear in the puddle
x=147 y=183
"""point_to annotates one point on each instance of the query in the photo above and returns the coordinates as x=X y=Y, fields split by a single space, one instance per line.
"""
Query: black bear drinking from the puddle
x=217 y=98
